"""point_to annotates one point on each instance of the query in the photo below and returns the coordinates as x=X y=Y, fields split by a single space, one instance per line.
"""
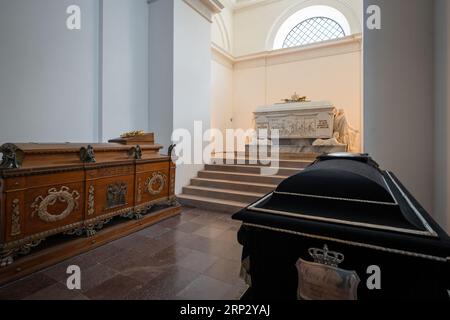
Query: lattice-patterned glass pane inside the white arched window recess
x=313 y=30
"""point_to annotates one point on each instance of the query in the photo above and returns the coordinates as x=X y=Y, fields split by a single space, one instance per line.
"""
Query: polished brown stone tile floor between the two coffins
x=192 y=256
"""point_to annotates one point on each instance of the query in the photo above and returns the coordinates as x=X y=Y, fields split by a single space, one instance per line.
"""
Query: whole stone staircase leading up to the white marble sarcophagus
x=231 y=187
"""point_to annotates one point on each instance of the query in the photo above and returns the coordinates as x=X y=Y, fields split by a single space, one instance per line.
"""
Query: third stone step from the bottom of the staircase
x=234 y=185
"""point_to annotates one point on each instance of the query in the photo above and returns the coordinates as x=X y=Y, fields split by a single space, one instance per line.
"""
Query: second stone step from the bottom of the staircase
x=224 y=194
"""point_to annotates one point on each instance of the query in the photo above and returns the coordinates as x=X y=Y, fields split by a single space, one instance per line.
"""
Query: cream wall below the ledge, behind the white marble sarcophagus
x=329 y=72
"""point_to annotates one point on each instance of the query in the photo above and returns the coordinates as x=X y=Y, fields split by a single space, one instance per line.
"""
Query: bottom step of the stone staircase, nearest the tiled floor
x=211 y=204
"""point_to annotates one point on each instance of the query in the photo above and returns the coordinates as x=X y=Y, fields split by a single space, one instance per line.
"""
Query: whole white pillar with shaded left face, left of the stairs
x=180 y=71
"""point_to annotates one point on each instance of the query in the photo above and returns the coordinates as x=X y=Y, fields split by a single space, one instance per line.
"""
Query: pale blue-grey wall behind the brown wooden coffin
x=58 y=85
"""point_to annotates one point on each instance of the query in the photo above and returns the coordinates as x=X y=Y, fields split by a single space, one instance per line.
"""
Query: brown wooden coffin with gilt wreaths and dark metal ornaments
x=70 y=190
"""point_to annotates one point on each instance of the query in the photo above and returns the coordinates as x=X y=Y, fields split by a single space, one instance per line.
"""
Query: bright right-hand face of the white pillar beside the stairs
x=192 y=77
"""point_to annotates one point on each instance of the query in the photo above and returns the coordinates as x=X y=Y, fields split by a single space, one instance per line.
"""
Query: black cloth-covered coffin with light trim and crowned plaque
x=343 y=229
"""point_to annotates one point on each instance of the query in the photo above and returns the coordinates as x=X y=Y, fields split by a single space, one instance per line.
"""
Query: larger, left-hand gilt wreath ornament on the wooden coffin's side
x=41 y=204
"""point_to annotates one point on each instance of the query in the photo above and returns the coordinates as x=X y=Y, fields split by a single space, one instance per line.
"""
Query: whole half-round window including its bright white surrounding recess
x=311 y=25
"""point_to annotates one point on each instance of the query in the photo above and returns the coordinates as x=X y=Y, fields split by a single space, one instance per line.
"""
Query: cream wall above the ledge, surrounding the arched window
x=255 y=27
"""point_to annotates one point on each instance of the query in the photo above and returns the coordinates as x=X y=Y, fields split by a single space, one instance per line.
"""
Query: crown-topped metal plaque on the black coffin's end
x=324 y=280
